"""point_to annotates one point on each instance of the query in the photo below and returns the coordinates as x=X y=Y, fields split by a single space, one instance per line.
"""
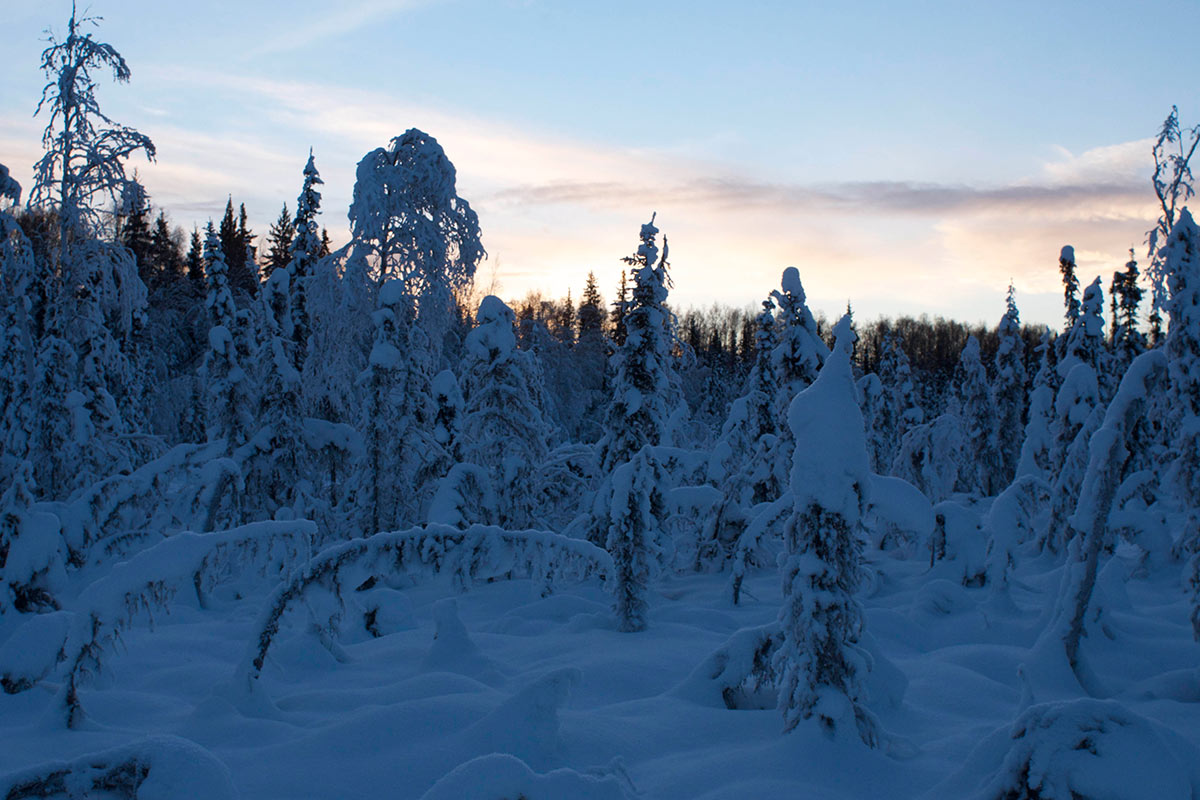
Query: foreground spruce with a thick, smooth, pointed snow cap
x=820 y=664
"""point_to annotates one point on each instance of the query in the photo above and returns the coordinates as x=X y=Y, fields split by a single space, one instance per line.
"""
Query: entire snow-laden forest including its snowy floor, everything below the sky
x=293 y=520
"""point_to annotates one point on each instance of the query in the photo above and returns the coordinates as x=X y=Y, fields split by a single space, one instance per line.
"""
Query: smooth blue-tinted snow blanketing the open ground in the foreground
x=463 y=684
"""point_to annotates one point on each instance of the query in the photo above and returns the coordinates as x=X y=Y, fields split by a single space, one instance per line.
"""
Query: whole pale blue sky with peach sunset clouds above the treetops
x=908 y=158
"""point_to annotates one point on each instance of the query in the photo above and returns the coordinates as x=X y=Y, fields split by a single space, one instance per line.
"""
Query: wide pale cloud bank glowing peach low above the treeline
x=554 y=208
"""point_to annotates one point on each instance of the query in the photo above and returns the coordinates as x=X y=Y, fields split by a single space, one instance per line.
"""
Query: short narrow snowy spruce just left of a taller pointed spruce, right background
x=981 y=459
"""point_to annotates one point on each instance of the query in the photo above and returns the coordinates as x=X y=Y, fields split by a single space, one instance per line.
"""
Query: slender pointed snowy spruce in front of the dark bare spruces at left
x=229 y=412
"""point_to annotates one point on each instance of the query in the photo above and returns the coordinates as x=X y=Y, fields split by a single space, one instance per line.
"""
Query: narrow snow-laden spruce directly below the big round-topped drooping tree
x=380 y=476
